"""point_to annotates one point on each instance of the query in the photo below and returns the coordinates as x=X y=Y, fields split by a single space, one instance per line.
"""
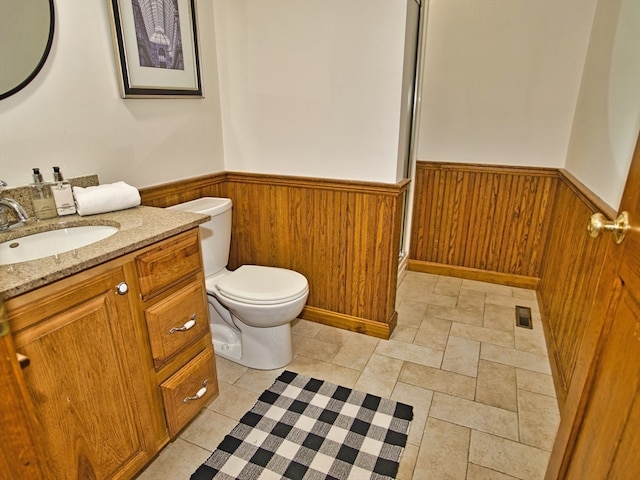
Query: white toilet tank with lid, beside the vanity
x=215 y=234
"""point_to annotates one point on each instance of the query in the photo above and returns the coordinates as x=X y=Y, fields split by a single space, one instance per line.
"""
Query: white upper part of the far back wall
x=501 y=79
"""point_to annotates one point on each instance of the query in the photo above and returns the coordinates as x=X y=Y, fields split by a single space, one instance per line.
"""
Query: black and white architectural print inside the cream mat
x=157 y=24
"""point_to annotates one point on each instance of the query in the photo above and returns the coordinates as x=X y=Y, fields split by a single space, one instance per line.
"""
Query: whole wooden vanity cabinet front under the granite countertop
x=107 y=383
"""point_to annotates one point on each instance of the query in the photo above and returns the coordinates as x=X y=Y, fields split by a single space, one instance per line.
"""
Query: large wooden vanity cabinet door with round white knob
x=86 y=378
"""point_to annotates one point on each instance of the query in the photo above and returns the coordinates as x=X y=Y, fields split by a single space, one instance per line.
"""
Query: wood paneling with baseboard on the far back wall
x=487 y=222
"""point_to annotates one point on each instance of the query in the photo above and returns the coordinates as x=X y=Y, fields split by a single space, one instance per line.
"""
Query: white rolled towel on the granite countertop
x=109 y=197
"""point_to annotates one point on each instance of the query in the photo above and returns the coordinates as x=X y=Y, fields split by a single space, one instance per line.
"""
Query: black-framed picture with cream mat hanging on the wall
x=156 y=46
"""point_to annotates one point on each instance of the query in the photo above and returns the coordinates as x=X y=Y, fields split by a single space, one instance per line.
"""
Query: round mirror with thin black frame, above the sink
x=26 y=34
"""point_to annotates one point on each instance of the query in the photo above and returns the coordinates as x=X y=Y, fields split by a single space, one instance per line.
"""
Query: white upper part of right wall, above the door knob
x=607 y=116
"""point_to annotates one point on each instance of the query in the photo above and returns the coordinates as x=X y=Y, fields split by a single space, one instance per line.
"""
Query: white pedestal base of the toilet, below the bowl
x=254 y=347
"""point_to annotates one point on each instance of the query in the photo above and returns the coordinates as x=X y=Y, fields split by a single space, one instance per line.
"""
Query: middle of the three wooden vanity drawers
x=177 y=321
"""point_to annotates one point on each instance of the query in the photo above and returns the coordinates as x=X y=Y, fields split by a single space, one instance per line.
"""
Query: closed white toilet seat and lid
x=258 y=285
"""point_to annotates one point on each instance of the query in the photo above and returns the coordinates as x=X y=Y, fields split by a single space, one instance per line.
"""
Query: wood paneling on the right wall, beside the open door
x=571 y=267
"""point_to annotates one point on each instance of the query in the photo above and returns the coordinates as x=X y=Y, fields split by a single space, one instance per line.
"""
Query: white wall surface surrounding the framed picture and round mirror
x=71 y=115
